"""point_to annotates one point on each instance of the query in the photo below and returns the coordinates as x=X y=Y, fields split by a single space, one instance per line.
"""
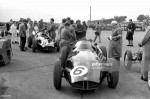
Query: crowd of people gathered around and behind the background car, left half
x=22 y=30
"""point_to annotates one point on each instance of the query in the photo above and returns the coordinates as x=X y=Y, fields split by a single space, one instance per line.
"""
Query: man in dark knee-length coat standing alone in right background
x=130 y=31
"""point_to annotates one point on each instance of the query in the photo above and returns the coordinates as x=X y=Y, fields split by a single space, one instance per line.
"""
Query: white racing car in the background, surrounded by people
x=42 y=41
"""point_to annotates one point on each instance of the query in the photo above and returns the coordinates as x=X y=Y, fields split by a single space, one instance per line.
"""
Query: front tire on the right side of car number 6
x=113 y=76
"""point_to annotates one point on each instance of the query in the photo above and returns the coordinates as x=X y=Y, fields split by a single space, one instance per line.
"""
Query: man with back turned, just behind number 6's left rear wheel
x=66 y=36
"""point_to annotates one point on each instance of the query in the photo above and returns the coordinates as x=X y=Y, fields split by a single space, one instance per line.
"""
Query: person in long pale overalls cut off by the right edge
x=145 y=44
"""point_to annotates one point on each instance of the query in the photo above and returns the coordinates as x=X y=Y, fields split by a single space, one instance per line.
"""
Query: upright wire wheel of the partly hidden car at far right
x=128 y=60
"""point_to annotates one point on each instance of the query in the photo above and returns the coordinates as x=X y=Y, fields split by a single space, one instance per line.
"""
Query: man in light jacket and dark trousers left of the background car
x=22 y=34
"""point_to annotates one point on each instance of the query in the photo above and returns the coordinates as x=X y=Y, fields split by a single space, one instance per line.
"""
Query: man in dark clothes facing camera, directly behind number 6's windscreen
x=80 y=30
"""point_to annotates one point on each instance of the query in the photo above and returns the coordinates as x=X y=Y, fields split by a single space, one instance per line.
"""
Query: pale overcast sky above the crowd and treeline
x=76 y=9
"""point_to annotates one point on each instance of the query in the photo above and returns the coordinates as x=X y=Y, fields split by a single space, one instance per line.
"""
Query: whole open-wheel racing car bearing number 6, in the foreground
x=85 y=65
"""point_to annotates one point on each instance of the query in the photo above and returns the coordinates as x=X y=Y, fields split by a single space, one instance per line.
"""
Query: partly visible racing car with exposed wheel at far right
x=129 y=58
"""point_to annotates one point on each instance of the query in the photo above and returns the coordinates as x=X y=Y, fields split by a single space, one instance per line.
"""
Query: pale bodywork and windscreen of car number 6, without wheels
x=86 y=64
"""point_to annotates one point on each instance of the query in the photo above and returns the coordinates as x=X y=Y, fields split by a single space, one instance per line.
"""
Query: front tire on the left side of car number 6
x=57 y=75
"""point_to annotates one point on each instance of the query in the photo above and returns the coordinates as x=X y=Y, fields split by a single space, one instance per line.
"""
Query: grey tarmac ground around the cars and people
x=30 y=76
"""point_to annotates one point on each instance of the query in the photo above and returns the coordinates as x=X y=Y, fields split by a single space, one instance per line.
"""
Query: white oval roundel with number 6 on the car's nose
x=78 y=71
